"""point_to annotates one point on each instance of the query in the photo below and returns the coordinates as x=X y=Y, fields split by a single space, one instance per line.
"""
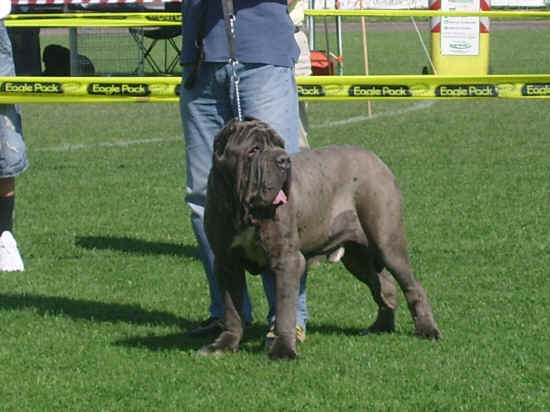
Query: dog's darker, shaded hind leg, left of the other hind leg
x=360 y=262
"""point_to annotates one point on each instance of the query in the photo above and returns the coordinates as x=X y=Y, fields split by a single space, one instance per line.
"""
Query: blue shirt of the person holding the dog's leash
x=263 y=29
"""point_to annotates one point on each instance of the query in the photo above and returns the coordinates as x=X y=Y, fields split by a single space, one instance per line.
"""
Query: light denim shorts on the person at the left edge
x=13 y=153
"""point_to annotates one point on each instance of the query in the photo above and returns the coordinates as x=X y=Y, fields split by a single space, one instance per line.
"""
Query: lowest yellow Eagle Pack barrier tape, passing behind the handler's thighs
x=310 y=88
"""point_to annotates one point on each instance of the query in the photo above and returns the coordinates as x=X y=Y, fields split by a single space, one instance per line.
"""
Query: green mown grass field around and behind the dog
x=98 y=320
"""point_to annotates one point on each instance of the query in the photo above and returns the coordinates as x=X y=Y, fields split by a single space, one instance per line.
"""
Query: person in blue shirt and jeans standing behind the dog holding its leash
x=266 y=52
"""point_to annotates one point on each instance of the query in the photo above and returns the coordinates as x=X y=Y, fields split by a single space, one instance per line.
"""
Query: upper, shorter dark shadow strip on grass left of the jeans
x=136 y=246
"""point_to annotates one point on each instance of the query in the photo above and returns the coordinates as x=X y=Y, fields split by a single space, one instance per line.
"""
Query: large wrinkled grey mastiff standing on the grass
x=267 y=210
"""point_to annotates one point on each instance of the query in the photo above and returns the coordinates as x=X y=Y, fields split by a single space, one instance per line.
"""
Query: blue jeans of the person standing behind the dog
x=267 y=93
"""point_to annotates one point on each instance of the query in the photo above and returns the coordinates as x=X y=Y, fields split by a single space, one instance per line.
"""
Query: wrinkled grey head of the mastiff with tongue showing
x=251 y=159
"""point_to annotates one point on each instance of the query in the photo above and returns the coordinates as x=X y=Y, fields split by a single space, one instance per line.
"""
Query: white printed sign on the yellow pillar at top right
x=460 y=35
